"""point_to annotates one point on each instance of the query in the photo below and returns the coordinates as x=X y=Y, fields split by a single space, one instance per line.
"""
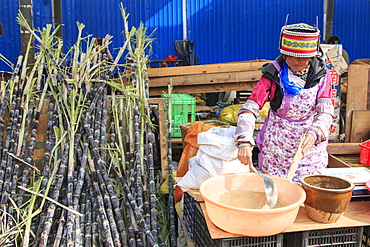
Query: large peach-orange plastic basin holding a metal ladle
x=245 y=221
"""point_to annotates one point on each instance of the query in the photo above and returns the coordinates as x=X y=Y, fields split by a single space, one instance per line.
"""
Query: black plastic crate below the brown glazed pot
x=348 y=236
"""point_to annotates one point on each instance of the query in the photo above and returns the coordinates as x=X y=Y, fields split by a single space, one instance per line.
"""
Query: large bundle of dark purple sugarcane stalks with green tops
x=96 y=185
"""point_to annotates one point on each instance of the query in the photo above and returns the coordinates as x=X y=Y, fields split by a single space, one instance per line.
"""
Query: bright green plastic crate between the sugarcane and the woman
x=183 y=111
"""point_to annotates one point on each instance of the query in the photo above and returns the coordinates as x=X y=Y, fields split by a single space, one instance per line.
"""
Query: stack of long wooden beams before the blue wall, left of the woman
x=238 y=76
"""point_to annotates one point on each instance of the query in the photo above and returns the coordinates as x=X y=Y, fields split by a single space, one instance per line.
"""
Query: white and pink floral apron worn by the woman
x=279 y=138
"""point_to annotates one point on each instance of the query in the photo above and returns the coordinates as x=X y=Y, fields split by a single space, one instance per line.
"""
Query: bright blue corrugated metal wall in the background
x=222 y=30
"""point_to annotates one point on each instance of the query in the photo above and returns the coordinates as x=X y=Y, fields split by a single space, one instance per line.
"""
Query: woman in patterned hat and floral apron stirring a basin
x=299 y=89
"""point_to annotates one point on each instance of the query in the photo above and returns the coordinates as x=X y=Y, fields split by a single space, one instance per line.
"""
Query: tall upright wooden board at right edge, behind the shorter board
x=357 y=90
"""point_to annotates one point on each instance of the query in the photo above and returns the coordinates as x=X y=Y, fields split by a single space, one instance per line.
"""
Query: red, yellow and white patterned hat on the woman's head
x=299 y=40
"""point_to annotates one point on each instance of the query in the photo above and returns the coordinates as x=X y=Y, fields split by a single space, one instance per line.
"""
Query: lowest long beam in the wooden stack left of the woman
x=205 y=88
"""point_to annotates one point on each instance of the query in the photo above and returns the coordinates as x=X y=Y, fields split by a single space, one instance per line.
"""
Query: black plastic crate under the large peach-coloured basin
x=202 y=238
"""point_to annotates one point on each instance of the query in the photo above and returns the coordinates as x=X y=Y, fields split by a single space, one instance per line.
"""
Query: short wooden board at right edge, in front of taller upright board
x=360 y=128
